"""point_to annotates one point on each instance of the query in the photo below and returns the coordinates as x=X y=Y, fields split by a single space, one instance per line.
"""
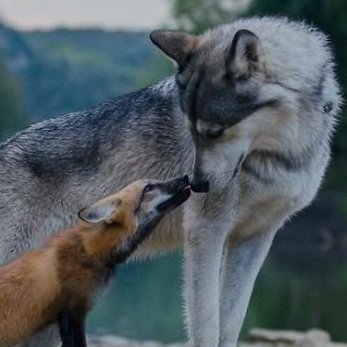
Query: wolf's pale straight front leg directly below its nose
x=206 y=227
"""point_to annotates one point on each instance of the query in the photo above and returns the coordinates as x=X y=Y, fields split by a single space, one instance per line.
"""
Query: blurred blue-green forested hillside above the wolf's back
x=64 y=70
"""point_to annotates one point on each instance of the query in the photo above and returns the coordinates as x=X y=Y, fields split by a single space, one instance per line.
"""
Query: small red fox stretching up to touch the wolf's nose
x=58 y=283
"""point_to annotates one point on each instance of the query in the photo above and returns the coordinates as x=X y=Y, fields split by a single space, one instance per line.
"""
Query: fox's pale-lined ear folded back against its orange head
x=102 y=211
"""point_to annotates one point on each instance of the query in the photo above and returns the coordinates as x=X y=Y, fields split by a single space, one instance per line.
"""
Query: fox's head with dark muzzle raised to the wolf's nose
x=123 y=220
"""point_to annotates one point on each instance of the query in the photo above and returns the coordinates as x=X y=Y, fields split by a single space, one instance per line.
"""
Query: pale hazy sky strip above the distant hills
x=42 y=14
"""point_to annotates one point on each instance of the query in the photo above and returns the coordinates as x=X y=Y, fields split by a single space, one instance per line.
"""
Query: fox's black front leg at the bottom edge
x=72 y=329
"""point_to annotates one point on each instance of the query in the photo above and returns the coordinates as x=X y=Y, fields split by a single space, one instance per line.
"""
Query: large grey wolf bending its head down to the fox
x=249 y=114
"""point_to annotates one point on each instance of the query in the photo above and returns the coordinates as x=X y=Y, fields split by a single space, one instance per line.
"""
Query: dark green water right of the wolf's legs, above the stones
x=283 y=300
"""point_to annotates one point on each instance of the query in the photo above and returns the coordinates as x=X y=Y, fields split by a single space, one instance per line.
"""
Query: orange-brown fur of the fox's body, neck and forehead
x=65 y=273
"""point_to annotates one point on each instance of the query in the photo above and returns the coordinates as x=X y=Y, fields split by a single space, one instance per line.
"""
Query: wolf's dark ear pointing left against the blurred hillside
x=176 y=44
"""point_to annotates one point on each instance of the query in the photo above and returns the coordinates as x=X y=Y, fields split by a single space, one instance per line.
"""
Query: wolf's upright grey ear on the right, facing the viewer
x=245 y=55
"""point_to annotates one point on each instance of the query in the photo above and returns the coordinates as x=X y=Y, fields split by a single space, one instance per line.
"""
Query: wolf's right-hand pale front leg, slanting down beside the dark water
x=241 y=265
